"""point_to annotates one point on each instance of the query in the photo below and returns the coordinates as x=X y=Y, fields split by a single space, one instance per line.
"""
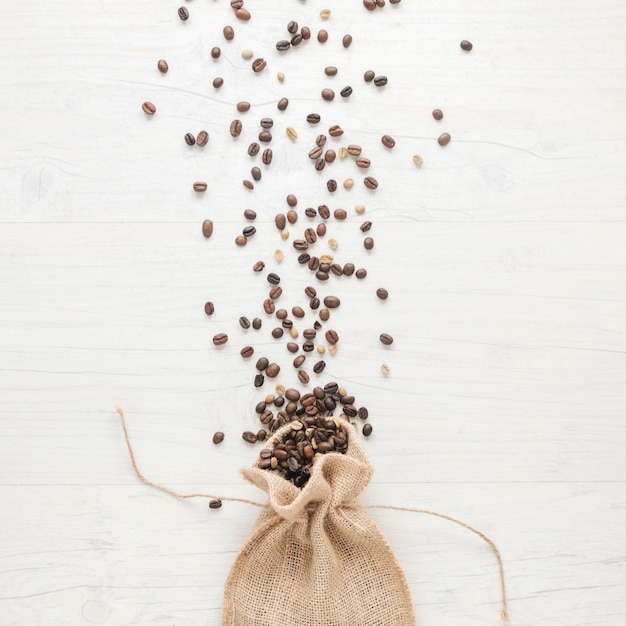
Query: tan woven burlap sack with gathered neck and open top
x=315 y=558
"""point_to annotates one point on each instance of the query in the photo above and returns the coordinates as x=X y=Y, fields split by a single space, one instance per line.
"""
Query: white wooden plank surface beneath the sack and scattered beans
x=504 y=256
